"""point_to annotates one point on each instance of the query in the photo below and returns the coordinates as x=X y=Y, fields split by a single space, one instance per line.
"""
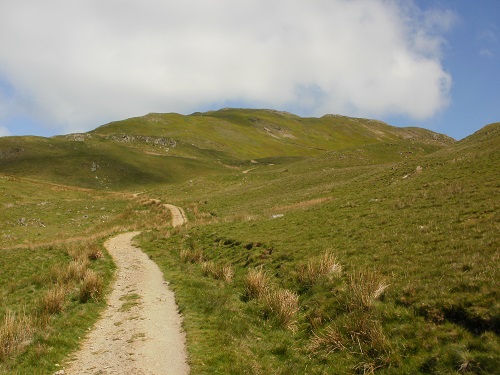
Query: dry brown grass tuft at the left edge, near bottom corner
x=15 y=333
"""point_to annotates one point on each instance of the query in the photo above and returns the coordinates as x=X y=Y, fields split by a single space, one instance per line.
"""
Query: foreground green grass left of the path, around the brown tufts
x=26 y=277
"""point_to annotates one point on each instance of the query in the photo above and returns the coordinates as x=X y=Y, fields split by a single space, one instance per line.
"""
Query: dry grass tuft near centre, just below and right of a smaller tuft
x=281 y=305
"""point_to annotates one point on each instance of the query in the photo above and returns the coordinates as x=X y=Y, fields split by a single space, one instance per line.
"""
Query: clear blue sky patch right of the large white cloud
x=472 y=56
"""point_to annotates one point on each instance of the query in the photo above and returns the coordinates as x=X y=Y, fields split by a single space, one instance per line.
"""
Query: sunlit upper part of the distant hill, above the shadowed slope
x=252 y=134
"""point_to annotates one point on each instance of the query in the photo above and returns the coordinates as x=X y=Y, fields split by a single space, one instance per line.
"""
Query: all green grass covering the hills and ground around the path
x=409 y=217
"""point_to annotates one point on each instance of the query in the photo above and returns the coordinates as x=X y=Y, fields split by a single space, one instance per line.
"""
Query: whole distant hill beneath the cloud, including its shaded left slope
x=169 y=148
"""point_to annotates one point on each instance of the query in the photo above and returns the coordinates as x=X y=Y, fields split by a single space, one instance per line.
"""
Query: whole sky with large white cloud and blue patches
x=71 y=66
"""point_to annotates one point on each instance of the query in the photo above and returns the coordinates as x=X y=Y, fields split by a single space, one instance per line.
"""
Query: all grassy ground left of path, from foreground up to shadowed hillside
x=44 y=230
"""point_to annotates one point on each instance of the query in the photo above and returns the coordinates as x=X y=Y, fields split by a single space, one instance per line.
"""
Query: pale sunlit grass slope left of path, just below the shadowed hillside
x=33 y=212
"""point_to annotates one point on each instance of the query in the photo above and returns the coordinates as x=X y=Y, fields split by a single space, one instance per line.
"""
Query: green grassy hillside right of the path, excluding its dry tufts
x=431 y=232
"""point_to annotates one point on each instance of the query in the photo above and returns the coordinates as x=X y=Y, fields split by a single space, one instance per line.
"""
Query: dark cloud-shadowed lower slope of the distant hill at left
x=95 y=163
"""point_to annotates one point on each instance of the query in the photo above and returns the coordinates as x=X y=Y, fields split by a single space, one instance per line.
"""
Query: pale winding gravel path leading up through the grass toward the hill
x=140 y=331
